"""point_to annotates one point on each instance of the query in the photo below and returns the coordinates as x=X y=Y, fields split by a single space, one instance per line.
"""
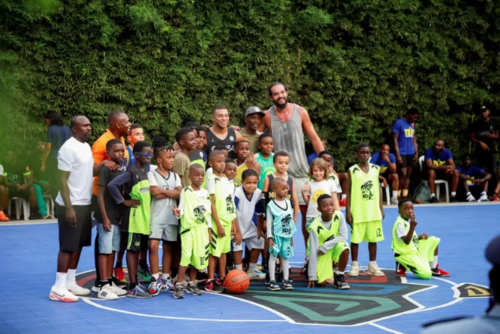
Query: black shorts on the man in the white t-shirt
x=73 y=238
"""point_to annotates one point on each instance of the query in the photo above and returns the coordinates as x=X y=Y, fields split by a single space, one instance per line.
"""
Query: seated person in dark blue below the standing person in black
x=474 y=178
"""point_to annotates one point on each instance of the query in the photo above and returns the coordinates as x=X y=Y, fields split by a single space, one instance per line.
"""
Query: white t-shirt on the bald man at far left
x=76 y=157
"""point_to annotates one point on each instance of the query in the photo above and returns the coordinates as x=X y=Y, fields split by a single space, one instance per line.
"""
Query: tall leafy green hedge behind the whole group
x=356 y=66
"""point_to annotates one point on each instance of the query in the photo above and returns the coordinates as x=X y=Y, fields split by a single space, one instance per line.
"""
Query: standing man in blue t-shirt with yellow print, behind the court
x=405 y=147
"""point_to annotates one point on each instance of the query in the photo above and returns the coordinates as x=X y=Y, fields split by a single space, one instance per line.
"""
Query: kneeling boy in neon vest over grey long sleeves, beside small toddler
x=328 y=244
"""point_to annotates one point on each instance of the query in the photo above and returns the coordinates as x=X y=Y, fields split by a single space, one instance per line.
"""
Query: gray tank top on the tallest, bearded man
x=289 y=137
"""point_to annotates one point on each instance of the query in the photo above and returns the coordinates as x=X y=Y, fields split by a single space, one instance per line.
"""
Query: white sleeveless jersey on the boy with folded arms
x=161 y=209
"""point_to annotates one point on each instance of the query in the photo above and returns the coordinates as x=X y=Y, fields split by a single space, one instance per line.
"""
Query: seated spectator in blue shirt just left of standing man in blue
x=387 y=163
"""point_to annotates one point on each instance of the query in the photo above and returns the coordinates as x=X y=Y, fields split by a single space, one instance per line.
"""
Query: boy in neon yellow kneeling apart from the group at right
x=416 y=253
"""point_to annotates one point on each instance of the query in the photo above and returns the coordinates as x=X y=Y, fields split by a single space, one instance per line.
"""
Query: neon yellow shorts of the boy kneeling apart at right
x=418 y=262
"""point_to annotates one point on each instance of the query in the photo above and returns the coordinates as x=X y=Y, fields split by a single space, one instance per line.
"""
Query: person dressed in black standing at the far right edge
x=484 y=133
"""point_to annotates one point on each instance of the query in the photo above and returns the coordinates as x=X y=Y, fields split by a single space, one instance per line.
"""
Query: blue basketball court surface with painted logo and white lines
x=28 y=265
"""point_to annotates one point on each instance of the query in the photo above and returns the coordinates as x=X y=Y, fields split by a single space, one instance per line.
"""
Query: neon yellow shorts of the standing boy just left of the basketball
x=195 y=247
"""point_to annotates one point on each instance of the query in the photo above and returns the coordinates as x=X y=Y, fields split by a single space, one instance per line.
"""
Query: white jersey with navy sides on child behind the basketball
x=247 y=211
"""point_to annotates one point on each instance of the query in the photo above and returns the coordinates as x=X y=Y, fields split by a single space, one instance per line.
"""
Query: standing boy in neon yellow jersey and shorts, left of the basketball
x=194 y=211
